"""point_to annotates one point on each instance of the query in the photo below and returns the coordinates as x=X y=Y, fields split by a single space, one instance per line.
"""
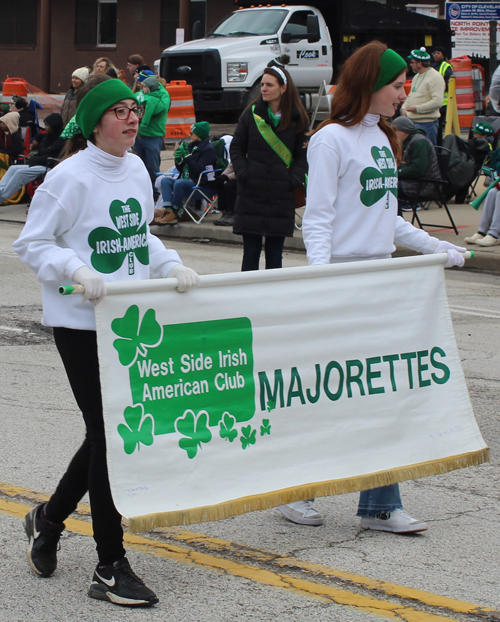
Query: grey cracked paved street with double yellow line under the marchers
x=258 y=566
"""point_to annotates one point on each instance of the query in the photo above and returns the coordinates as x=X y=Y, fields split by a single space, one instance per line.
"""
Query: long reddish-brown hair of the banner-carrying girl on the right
x=353 y=95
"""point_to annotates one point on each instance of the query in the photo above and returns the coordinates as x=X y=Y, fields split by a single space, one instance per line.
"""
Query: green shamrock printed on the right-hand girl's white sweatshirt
x=378 y=182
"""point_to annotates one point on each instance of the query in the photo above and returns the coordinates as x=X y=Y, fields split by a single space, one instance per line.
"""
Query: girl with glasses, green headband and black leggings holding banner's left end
x=90 y=209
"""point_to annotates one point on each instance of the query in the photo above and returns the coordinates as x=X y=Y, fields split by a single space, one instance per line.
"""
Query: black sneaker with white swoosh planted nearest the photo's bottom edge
x=119 y=584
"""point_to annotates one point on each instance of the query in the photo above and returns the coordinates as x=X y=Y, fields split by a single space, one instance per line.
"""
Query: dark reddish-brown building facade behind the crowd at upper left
x=43 y=41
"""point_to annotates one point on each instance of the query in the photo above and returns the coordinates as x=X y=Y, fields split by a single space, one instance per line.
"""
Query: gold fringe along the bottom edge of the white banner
x=297 y=493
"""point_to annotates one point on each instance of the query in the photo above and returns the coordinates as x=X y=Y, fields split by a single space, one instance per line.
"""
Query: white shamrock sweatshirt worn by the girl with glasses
x=92 y=210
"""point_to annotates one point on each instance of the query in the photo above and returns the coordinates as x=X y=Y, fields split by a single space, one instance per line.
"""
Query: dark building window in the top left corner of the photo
x=18 y=23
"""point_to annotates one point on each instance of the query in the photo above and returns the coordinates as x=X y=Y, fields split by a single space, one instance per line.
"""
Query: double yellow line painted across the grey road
x=308 y=588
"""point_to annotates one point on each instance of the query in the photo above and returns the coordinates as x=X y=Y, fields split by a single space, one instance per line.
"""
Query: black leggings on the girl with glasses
x=88 y=469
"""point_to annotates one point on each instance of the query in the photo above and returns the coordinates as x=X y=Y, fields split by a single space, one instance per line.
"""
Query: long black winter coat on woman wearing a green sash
x=265 y=203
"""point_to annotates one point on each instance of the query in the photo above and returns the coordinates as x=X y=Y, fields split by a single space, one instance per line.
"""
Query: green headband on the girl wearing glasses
x=98 y=100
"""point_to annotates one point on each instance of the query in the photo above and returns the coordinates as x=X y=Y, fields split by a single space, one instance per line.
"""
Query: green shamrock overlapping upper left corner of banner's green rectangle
x=135 y=337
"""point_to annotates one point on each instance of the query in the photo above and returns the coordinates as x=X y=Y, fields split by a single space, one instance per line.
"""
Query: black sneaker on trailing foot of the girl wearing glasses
x=43 y=539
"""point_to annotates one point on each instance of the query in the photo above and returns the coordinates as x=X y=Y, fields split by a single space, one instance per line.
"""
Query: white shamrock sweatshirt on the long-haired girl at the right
x=351 y=208
